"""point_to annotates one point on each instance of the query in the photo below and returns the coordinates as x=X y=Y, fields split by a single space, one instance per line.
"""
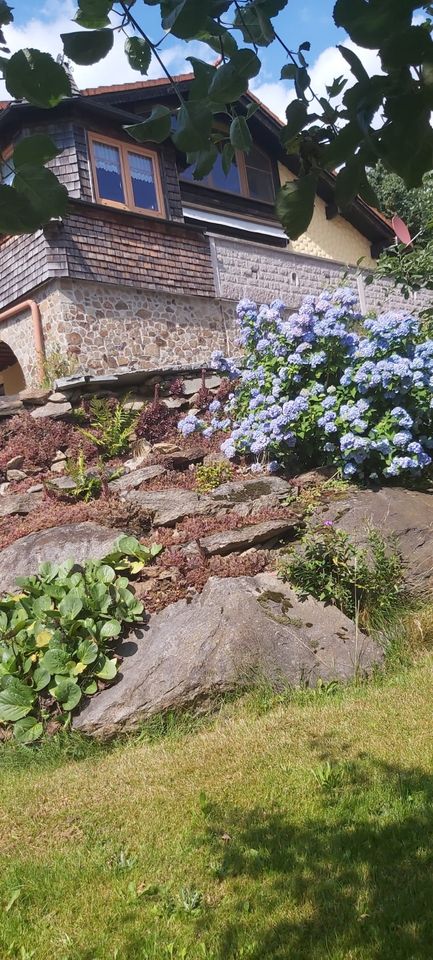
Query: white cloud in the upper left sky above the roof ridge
x=43 y=33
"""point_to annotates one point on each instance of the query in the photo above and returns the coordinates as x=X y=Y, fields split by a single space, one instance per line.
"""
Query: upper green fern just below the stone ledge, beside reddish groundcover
x=111 y=426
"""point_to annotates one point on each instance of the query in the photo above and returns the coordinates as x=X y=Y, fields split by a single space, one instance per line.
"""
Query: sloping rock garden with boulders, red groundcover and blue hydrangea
x=262 y=522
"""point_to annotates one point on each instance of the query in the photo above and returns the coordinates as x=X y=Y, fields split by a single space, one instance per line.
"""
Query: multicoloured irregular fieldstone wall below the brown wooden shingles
x=106 y=326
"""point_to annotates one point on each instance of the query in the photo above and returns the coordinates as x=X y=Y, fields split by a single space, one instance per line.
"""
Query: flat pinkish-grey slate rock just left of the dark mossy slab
x=170 y=505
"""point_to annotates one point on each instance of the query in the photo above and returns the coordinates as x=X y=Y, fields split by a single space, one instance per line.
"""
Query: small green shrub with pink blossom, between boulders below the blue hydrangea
x=365 y=585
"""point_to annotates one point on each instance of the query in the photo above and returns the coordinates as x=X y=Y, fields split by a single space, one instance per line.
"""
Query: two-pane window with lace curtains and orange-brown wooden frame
x=126 y=176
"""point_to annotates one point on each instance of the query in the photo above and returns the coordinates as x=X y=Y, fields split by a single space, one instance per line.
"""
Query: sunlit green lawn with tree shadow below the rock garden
x=298 y=832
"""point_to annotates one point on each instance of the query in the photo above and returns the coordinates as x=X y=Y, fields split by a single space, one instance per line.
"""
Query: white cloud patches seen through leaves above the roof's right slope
x=328 y=65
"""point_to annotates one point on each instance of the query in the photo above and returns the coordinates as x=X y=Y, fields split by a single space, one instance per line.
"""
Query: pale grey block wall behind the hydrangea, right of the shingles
x=246 y=269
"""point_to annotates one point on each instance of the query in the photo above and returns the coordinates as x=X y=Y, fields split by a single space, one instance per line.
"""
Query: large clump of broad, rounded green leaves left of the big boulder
x=57 y=636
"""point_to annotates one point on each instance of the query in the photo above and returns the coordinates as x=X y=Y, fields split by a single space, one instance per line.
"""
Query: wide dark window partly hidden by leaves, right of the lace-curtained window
x=250 y=175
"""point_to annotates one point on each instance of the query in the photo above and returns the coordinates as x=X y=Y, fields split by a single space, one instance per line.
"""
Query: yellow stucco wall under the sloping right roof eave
x=332 y=239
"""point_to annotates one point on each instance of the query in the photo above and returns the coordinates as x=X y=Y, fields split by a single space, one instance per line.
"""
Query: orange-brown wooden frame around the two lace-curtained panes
x=124 y=149
